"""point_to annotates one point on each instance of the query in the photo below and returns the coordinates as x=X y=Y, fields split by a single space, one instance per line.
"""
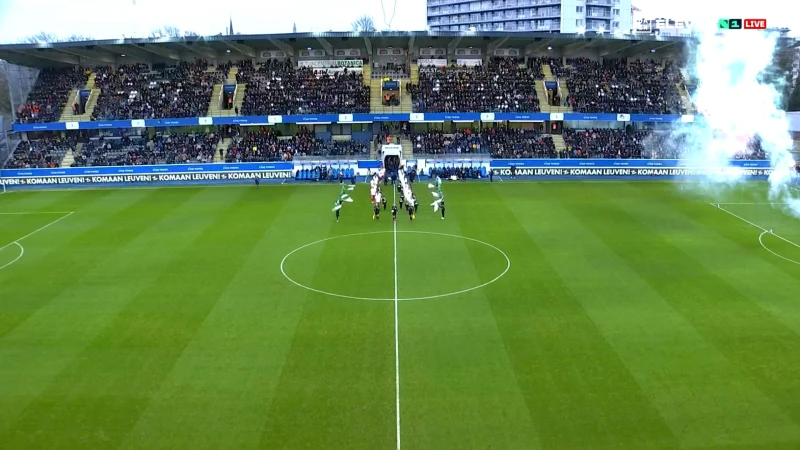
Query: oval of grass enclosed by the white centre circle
x=361 y=266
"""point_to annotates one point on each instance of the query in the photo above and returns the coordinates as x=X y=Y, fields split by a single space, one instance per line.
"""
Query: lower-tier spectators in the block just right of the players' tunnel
x=499 y=142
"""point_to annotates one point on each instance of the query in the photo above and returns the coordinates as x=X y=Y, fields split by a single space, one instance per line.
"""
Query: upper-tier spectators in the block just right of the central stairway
x=501 y=85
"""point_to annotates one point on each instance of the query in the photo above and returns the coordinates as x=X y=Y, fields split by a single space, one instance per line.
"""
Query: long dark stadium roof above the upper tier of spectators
x=248 y=46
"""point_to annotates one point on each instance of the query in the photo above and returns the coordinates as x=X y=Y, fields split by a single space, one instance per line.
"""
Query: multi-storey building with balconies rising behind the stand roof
x=564 y=16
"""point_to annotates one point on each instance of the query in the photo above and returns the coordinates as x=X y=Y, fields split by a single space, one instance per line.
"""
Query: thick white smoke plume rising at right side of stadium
x=739 y=106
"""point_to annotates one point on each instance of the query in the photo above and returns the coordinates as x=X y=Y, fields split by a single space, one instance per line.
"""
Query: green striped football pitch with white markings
x=556 y=315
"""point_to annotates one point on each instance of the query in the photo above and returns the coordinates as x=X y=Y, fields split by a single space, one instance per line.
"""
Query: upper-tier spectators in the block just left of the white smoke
x=615 y=86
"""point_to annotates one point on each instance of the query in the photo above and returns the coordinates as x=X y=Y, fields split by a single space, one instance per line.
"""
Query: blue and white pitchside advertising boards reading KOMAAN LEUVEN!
x=544 y=169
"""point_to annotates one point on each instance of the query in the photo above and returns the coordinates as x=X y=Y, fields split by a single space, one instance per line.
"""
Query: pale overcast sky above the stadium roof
x=20 y=18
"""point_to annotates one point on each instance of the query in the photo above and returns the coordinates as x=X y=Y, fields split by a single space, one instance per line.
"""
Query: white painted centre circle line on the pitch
x=416 y=252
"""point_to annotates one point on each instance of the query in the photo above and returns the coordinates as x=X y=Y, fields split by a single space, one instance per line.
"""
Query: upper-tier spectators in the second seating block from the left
x=136 y=92
